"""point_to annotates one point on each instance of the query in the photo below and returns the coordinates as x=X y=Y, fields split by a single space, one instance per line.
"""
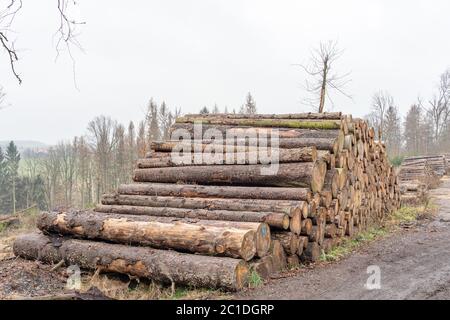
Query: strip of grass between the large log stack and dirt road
x=403 y=216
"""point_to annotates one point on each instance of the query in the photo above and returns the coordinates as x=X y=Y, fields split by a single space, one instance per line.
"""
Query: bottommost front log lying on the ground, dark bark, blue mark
x=160 y=265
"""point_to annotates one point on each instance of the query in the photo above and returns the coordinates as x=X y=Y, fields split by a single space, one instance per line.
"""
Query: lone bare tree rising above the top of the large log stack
x=323 y=80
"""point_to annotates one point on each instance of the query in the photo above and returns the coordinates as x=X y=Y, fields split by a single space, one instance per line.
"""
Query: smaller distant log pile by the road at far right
x=418 y=174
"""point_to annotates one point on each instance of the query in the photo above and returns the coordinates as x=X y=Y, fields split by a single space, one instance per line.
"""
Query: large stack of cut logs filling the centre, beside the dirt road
x=209 y=224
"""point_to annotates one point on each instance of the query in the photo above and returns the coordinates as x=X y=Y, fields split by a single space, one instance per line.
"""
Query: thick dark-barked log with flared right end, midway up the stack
x=307 y=174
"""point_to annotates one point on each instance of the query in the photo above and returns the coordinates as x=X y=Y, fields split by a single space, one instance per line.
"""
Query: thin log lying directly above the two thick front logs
x=273 y=219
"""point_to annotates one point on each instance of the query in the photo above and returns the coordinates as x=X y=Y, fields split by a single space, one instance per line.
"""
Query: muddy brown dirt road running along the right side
x=413 y=264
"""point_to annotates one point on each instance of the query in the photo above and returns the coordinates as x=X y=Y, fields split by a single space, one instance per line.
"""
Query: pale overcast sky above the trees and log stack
x=196 y=53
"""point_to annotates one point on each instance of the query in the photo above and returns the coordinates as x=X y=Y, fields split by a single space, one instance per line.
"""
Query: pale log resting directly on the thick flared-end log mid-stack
x=212 y=157
